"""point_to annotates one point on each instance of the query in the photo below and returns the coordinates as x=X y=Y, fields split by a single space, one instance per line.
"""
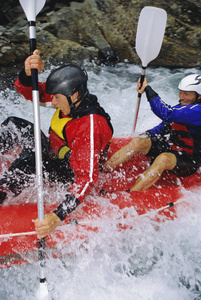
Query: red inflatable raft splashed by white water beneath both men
x=108 y=200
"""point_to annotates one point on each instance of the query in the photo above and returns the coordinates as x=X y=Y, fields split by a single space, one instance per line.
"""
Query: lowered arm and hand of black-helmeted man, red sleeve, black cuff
x=86 y=145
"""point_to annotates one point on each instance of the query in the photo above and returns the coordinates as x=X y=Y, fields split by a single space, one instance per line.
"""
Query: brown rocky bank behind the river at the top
x=102 y=31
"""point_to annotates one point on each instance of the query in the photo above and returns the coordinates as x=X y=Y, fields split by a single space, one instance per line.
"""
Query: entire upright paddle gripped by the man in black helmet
x=31 y=9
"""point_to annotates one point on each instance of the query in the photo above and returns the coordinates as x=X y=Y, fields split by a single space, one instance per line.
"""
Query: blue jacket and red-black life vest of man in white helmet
x=180 y=124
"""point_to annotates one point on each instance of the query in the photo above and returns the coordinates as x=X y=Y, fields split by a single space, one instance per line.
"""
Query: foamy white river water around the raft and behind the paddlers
x=150 y=262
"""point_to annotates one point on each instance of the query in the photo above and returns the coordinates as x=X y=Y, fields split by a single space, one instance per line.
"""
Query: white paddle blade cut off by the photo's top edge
x=32 y=8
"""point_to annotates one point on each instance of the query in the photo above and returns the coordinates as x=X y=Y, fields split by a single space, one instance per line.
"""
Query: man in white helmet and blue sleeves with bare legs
x=175 y=144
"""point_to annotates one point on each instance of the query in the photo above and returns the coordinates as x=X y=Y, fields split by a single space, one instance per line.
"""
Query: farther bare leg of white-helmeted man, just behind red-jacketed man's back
x=136 y=145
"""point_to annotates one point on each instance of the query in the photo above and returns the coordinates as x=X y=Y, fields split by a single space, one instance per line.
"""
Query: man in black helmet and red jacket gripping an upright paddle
x=79 y=137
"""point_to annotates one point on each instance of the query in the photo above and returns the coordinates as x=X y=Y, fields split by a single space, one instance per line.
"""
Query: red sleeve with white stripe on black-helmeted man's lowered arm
x=86 y=148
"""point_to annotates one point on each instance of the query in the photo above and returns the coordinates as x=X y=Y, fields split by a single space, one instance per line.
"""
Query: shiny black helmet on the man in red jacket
x=67 y=80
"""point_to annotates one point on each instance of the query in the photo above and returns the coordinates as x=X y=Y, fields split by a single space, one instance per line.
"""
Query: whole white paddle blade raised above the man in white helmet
x=150 y=33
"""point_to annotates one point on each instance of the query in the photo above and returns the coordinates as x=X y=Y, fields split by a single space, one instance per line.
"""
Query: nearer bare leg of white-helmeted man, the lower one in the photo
x=164 y=161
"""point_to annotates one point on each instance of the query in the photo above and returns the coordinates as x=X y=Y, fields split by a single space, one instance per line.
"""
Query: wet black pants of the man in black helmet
x=20 y=132
